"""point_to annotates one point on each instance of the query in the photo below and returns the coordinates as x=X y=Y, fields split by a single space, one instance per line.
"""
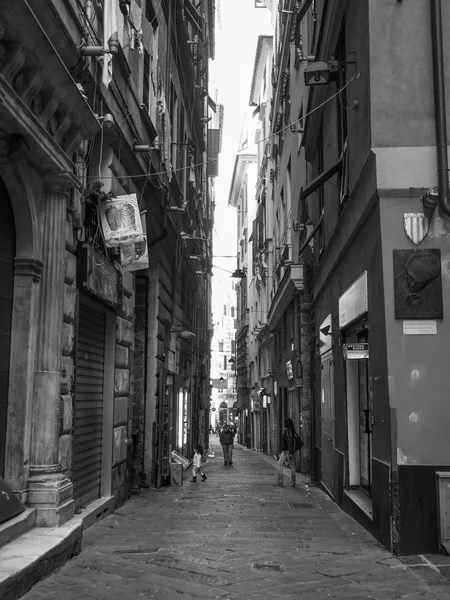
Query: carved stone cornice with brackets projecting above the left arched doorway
x=38 y=92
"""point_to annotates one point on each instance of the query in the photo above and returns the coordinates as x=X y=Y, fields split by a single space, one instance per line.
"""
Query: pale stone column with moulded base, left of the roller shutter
x=49 y=491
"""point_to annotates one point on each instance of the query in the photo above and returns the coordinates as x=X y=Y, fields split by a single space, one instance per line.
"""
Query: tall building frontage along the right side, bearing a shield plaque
x=358 y=163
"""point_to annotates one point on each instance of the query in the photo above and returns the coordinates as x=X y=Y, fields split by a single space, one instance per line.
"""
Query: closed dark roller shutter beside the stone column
x=88 y=418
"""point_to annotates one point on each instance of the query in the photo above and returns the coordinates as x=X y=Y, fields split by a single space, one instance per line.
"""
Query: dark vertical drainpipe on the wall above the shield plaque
x=439 y=104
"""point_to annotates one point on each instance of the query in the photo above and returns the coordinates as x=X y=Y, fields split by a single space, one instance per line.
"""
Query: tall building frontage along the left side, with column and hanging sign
x=101 y=99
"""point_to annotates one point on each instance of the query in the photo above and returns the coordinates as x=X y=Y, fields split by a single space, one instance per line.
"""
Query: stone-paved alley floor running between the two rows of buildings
x=239 y=537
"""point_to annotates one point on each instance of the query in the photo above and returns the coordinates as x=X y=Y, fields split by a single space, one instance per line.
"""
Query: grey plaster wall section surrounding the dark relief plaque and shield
x=418 y=364
